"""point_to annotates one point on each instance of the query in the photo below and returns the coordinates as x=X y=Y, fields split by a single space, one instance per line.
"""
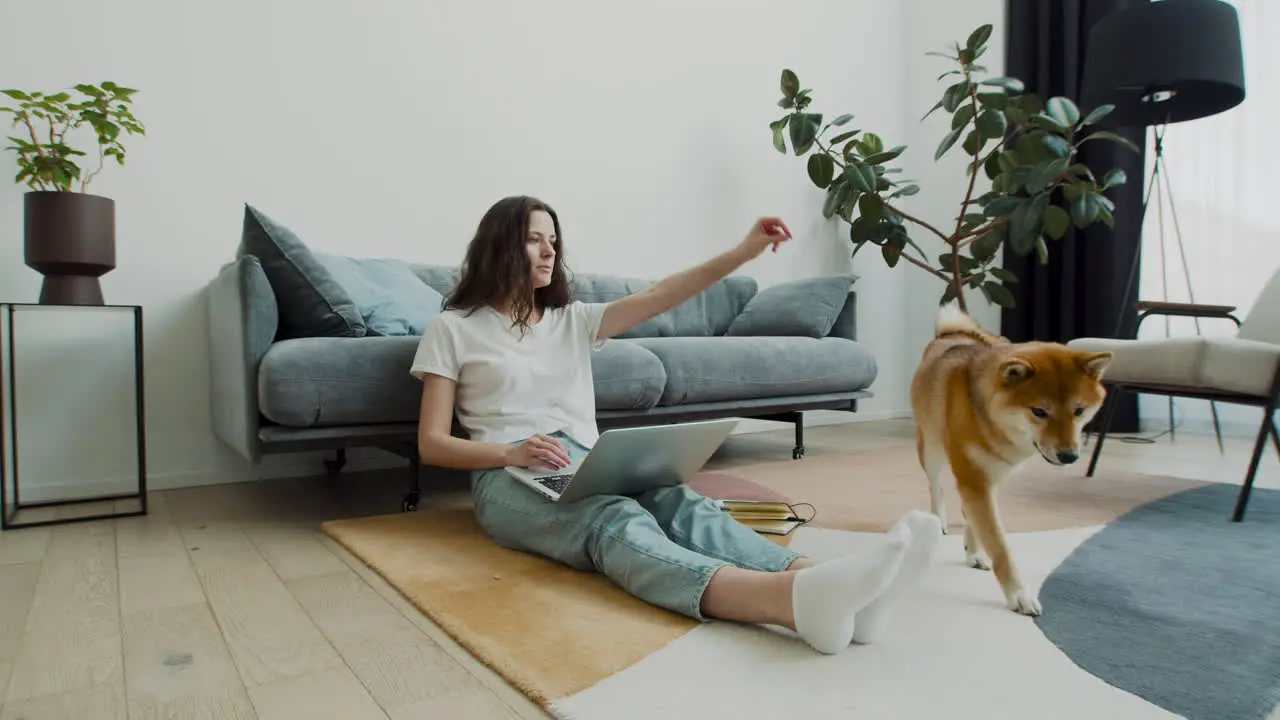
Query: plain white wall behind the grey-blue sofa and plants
x=387 y=129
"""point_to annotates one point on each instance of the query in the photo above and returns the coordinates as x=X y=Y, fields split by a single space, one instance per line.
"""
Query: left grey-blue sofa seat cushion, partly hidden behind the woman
x=319 y=382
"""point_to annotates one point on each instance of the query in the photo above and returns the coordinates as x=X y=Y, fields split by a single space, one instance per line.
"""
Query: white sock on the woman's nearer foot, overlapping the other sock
x=828 y=598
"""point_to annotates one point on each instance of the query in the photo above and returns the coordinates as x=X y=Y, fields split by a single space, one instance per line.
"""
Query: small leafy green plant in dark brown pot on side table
x=68 y=236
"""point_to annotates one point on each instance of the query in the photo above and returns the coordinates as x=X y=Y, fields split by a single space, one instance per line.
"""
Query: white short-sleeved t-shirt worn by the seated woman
x=511 y=386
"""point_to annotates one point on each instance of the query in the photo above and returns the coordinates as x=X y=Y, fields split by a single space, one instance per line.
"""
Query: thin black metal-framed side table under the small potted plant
x=11 y=508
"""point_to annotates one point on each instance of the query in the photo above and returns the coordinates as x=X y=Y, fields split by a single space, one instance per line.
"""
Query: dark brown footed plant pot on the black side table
x=70 y=238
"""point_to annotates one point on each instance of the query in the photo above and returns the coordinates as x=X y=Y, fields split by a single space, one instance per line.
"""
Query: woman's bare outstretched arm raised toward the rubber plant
x=630 y=312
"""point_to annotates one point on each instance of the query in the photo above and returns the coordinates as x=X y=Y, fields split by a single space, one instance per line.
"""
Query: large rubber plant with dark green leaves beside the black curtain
x=1027 y=148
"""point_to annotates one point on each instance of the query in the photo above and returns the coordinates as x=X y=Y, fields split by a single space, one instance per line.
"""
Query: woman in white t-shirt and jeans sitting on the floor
x=511 y=356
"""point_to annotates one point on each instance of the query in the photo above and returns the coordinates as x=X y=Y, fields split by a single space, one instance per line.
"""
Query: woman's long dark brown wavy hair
x=497 y=271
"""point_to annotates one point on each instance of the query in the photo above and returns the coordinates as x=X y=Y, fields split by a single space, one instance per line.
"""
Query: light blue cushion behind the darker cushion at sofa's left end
x=388 y=295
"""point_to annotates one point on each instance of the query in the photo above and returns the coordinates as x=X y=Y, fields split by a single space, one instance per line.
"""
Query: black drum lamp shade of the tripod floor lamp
x=1165 y=62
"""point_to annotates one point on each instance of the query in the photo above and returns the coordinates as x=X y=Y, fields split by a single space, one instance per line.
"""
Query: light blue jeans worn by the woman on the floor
x=662 y=546
